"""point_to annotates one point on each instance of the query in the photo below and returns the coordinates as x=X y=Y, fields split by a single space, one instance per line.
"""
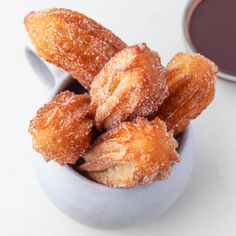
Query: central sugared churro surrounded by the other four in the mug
x=131 y=84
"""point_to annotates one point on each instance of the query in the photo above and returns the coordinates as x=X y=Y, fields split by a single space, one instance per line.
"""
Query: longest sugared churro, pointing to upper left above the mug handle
x=72 y=41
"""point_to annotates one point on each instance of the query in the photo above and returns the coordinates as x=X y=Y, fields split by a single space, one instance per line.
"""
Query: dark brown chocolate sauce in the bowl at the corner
x=212 y=30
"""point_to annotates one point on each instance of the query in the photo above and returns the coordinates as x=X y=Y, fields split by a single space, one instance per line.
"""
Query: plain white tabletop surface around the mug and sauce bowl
x=208 y=205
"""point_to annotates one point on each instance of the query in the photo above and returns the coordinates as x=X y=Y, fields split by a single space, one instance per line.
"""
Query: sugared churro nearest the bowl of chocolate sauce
x=191 y=81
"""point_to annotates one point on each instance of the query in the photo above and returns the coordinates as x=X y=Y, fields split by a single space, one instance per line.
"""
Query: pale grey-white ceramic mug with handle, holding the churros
x=98 y=206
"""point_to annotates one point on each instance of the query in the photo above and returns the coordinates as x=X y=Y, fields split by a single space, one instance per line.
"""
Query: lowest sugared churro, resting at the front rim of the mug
x=133 y=153
